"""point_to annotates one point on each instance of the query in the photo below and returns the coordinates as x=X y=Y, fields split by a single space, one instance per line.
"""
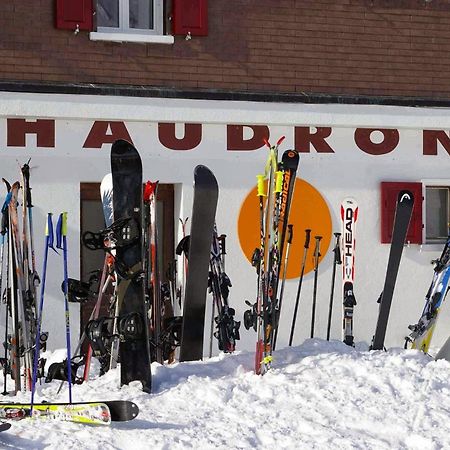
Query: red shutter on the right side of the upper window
x=190 y=16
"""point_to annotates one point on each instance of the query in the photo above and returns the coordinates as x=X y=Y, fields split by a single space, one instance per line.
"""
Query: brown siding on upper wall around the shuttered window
x=398 y=48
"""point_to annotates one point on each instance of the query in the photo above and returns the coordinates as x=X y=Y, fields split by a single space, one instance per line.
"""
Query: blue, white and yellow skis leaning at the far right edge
x=422 y=331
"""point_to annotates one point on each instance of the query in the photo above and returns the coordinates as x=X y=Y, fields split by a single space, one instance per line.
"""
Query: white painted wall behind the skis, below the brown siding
x=56 y=174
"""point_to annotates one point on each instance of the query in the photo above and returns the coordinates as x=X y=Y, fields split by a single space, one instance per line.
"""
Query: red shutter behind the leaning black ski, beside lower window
x=389 y=192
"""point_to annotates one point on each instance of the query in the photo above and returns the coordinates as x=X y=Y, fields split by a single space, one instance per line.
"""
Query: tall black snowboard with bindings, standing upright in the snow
x=134 y=352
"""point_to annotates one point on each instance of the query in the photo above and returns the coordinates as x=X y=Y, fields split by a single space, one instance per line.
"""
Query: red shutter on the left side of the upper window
x=74 y=14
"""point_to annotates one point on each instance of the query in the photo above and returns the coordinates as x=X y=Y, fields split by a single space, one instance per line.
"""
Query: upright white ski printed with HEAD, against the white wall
x=349 y=216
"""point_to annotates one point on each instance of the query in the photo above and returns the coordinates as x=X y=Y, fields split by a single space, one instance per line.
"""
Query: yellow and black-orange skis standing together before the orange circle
x=275 y=192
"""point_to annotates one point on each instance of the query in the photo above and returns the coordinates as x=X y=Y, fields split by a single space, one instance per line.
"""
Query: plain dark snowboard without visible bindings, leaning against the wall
x=204 y=207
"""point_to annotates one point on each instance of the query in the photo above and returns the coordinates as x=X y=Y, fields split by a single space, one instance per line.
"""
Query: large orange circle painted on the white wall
x=308 y=211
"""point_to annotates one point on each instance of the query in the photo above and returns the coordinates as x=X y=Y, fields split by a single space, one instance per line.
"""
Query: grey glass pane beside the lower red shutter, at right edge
x=437 y=212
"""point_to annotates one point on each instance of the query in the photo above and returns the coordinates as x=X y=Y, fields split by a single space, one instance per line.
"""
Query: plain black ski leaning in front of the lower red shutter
x=405 y=203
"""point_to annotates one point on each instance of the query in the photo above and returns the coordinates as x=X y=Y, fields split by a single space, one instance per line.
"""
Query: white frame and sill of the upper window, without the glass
x=123 y=33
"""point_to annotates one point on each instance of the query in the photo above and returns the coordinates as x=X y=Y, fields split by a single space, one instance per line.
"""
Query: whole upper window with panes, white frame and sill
x=130 y=20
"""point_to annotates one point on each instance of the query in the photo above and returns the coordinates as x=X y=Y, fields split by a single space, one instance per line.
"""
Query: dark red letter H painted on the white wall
x=17 y=129
